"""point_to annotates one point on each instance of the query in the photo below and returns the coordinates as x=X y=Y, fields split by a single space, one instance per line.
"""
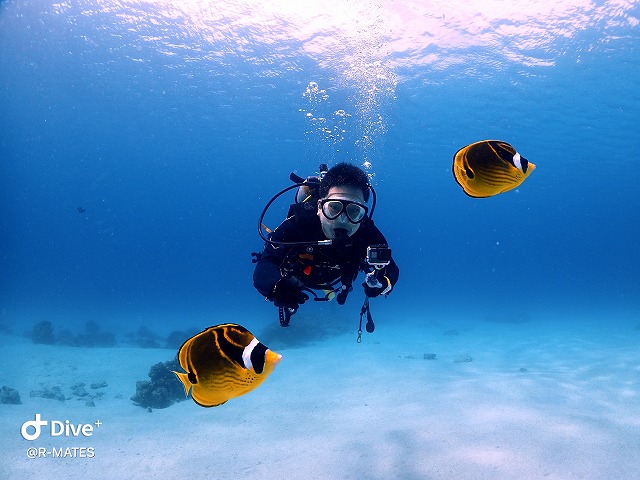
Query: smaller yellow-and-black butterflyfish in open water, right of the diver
x=490 y=167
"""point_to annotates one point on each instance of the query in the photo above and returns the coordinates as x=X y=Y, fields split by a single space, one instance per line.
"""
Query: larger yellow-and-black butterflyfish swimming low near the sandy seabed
x=223 y=362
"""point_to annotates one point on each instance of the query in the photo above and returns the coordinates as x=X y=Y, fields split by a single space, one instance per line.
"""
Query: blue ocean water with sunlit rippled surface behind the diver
x=139 y=142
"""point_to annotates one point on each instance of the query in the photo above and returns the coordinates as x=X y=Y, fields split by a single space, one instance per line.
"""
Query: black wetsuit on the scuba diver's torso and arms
x=319 y=267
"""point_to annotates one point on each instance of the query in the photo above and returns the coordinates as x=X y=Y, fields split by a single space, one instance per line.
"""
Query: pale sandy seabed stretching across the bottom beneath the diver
x=498 y=401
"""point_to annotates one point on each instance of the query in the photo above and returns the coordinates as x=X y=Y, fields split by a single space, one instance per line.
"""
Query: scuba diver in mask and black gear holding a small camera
x=327 y=238
